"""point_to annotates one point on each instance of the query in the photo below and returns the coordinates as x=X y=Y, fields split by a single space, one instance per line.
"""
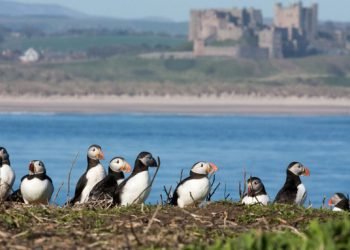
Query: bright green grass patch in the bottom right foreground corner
x=331 y=235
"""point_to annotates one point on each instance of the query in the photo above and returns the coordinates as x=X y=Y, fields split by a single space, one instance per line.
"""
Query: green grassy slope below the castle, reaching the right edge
x=209 y=70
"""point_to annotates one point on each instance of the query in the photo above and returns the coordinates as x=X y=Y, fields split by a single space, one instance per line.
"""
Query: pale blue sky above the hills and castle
x=178 y=10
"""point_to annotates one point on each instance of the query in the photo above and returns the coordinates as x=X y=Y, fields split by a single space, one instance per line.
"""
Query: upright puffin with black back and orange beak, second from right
x=293 y=190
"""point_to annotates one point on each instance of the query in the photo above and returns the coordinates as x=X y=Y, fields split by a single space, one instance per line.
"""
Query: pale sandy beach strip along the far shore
x=177 y=105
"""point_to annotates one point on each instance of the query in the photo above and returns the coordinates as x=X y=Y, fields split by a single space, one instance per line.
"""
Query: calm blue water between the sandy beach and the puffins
x=264 y=146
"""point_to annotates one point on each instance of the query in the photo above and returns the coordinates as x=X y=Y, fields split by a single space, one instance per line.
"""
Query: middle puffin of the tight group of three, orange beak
x=105 y=189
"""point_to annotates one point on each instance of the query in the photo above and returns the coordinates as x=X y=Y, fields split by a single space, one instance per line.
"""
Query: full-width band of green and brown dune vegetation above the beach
x=131 y=75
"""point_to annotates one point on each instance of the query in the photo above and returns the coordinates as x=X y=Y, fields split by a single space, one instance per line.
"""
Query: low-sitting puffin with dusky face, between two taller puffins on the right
x=256 y=192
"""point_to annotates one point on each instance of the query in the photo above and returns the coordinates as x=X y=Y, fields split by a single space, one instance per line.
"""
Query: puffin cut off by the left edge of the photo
x=7 y=175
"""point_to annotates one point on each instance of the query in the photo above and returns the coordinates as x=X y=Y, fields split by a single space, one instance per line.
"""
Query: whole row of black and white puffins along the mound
x=96 y=185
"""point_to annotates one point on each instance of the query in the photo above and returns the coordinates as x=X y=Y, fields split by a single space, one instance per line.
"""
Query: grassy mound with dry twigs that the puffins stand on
x=219 y=225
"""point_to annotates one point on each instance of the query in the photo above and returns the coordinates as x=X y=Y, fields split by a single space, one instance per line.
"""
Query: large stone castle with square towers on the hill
x=242 y=33
